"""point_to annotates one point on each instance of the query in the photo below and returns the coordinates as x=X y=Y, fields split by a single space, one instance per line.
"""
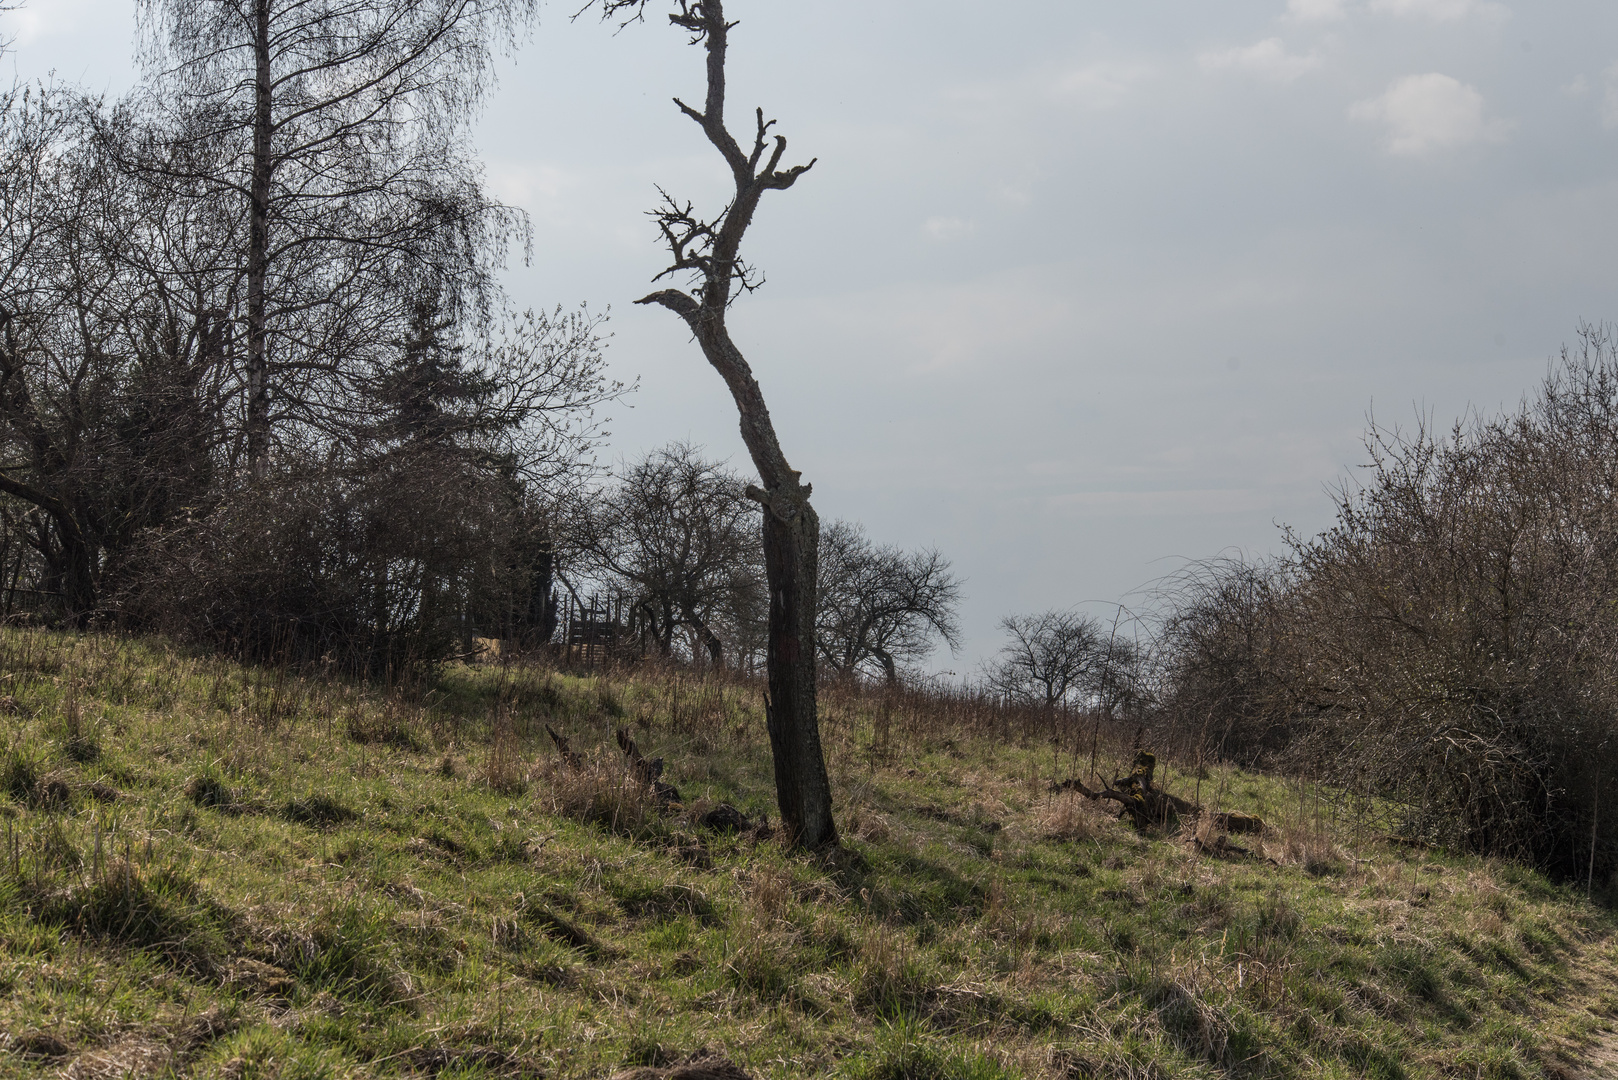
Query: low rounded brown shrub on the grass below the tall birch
x=371 y=568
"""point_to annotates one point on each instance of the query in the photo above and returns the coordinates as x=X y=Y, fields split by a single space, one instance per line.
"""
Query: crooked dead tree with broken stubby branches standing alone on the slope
x=708 y=250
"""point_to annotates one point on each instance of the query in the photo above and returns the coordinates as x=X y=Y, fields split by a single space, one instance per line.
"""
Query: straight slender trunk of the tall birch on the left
x=260 y=250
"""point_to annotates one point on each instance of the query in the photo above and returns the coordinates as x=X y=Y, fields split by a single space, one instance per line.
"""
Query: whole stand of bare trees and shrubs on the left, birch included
x=256 y=380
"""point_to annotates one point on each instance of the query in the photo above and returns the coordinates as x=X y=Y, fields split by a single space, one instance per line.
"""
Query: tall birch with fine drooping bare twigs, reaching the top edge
x=337 y=132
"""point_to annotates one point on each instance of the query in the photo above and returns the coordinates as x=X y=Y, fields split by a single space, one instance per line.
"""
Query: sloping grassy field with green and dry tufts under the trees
x=224 y=872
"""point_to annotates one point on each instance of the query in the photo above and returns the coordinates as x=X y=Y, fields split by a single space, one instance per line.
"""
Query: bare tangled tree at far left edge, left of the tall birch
x=109 y=373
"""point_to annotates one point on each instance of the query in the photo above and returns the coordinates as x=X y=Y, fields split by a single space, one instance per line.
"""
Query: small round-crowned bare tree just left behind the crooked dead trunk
x=679 y=537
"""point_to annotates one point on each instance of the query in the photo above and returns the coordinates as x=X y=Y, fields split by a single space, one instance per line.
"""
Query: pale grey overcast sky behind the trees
x=1077 y=291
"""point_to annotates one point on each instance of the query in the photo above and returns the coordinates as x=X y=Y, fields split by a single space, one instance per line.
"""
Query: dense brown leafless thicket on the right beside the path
x=1452 y=642
